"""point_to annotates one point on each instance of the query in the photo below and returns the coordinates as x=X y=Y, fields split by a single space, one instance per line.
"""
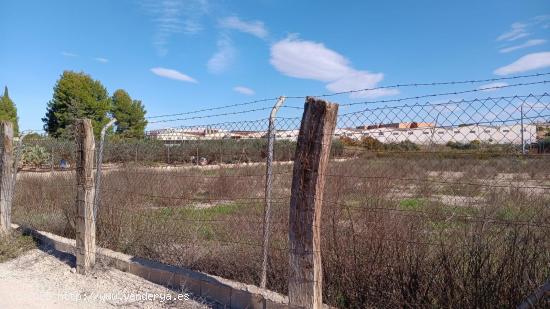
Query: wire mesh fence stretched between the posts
x=426 y=202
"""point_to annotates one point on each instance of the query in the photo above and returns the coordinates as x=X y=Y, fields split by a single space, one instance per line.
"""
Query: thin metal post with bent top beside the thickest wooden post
x=268 y=187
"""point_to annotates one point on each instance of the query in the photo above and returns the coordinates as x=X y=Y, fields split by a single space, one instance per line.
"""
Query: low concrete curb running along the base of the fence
x=225 y=293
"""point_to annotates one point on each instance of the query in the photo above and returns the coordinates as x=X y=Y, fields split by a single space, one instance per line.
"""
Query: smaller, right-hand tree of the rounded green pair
x=130 y=115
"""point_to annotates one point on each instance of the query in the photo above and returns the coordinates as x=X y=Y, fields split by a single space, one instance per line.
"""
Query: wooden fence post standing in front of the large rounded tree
x=85 y=219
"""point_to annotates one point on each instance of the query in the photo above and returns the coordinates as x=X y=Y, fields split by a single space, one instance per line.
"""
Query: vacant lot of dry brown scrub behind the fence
x=398 y=230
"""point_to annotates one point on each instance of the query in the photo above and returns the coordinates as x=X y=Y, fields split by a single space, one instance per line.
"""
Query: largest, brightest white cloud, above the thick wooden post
x=310 y=60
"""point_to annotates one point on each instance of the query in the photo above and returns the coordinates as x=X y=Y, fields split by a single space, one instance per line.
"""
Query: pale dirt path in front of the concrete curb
x=42 y=280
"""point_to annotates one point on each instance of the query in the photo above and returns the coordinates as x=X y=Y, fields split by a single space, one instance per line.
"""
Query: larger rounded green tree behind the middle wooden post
x=76 y=95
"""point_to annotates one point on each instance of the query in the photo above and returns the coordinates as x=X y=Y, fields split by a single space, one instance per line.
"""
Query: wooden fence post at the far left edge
x=6 y=175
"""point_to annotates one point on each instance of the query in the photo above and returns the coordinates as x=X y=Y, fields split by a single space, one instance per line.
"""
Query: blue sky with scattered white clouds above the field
x=178 y=56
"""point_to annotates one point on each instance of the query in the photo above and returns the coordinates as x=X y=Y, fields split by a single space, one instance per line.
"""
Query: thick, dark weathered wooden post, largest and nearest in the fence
x=310 y=162
